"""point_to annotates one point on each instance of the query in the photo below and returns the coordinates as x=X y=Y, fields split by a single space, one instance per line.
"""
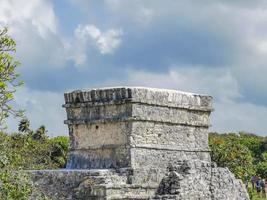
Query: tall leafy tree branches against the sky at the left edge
x=8 y=76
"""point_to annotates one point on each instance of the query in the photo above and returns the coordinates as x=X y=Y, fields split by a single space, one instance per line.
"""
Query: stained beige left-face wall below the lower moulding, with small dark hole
x=99 y=145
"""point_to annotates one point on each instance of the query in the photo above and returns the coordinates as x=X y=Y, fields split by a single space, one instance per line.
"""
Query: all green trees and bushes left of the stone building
x=27 y=149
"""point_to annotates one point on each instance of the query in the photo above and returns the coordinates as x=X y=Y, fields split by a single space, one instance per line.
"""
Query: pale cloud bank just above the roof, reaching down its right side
x=230 y=114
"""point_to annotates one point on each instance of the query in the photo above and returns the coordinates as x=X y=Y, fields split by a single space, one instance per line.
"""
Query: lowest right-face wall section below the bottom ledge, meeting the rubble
x=150 y=165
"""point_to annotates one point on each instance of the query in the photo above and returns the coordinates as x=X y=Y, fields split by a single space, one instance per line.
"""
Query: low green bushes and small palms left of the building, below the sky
x=28 y=149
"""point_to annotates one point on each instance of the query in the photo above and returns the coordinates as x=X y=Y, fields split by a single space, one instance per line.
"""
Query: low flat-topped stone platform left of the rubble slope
x=89 y=184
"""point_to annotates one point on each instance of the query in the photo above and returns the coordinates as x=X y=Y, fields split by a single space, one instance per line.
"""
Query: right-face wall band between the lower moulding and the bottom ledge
x=169 y=136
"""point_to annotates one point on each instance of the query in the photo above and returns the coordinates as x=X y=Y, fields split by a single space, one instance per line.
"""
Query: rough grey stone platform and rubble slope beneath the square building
x=188 y=180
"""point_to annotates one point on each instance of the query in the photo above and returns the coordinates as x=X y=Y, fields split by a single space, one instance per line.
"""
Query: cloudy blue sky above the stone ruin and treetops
x=214 y=47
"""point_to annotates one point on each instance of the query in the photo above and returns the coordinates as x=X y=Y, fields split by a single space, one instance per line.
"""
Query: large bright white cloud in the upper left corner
x=33 y=24
